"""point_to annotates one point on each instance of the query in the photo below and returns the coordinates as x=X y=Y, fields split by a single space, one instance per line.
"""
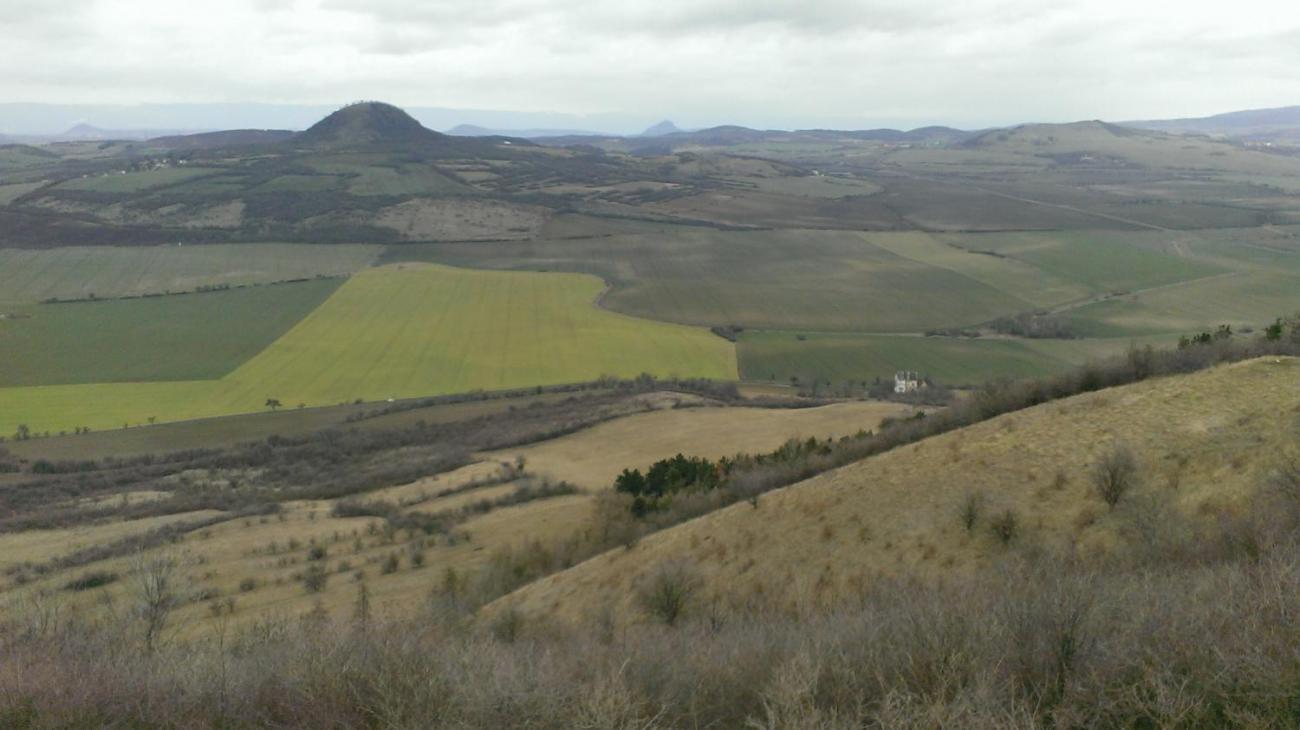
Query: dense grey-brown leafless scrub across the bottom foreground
x=1197 y=636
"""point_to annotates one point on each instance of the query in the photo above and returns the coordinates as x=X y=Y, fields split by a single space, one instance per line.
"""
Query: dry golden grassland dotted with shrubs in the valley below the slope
x=258 y=562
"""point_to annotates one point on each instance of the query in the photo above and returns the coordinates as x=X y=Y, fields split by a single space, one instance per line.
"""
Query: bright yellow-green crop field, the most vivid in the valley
x=404 y=332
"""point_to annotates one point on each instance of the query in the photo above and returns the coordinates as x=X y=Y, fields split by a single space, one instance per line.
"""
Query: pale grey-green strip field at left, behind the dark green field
x=109 y=272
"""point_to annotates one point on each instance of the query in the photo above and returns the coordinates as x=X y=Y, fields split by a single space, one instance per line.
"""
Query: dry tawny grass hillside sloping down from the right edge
x=1202 y=442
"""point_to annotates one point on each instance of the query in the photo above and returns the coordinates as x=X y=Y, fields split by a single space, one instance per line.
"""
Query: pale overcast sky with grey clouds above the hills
x=760 y=63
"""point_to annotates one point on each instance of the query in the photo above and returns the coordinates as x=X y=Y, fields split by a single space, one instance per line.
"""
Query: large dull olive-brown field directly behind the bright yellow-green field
x=779 y=280
